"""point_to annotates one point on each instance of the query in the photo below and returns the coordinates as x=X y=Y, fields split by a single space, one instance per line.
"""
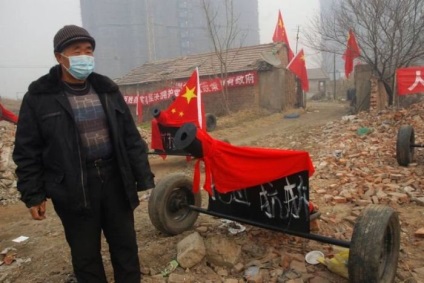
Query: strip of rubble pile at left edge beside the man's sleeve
x=8 y=191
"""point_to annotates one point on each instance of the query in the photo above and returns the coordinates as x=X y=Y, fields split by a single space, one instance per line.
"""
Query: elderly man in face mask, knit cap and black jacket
x=77 y=144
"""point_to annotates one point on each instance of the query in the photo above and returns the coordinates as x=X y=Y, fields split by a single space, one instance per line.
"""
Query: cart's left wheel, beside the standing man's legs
x=168 y=210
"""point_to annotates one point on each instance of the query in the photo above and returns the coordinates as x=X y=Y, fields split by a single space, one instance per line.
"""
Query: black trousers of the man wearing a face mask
x=111 y=213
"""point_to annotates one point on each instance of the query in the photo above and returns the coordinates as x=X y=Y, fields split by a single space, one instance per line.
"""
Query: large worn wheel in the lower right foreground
x=374 y=248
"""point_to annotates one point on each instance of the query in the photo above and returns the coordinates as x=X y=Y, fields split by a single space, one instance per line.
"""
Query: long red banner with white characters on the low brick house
x=207 y=86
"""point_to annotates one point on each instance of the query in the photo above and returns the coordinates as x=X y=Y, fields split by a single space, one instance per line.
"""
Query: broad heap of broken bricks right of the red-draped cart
x=358 y=155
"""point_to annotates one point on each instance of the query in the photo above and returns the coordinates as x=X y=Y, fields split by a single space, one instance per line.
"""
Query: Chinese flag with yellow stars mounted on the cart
x=186 y=108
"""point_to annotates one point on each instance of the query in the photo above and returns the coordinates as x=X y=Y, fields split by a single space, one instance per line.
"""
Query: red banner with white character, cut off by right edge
x=410 y=80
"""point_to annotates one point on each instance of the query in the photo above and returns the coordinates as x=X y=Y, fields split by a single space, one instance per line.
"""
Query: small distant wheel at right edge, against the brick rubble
x=404 y=150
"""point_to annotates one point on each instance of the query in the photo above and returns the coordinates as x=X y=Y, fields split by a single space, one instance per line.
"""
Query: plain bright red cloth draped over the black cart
x=232 y=168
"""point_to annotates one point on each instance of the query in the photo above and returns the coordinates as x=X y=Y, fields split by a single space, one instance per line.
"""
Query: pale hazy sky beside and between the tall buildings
x=27 y=28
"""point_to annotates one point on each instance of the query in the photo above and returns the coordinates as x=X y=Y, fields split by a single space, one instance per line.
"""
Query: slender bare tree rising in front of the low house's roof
x=224 y=35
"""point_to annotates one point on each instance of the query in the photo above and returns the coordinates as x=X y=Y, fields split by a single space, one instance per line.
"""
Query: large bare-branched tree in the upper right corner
x=390 y=33
